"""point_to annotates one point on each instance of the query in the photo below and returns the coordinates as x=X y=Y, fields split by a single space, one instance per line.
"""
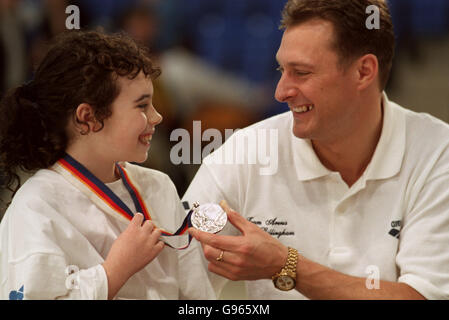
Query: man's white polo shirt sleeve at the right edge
x=423 y=256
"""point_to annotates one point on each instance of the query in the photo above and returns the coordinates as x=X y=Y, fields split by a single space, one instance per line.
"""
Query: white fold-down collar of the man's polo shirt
x=387 y=158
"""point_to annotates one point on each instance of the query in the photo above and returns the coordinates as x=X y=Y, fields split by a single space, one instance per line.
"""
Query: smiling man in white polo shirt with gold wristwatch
x=359 y=205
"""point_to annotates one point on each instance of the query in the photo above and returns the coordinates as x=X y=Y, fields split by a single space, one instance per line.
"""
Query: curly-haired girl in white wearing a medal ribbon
x=66 y=233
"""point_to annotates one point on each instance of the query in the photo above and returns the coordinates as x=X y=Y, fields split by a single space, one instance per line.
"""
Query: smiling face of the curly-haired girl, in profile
x=128 y=131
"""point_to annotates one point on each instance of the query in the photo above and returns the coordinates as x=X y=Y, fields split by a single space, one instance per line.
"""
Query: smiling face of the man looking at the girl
x=314 y=84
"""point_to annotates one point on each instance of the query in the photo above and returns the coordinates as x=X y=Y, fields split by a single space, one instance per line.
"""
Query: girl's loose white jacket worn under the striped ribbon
x=53 y=240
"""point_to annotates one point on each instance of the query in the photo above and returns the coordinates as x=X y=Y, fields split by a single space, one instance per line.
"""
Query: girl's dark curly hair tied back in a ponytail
x=80 y=67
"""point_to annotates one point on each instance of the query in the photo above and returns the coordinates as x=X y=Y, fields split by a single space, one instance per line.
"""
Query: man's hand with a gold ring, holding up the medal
x=251 y=256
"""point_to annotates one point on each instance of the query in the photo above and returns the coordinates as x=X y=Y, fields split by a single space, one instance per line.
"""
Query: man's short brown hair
x=352 y=37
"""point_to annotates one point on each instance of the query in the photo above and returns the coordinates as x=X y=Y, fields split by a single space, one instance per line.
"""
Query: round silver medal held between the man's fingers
x=208 y=217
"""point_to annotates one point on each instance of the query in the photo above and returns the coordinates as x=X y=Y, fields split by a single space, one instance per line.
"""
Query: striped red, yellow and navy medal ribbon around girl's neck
x=107 y=200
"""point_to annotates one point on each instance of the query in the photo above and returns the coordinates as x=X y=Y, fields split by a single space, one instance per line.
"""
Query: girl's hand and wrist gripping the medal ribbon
x=137 y=246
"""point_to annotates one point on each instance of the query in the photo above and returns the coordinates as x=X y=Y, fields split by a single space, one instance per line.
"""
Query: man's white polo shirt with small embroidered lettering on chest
x=393 y=222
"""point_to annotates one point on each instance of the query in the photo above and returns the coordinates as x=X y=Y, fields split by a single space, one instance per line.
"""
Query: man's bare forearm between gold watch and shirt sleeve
x=319 y=282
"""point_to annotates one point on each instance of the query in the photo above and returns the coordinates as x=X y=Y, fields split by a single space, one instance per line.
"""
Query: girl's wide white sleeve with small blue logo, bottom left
x=40 y=248
